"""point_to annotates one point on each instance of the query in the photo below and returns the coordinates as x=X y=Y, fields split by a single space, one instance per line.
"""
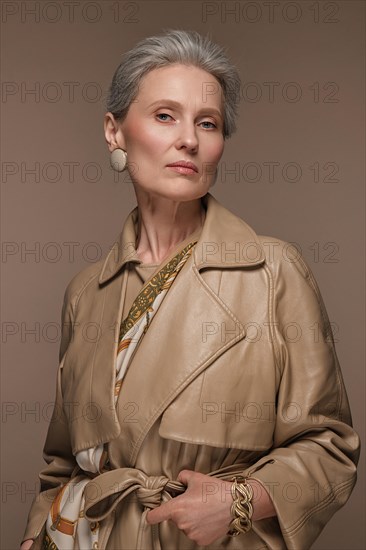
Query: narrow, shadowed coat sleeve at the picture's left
x=57 y=449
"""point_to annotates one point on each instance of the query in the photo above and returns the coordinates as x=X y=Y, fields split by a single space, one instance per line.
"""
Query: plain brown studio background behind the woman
x=71 y=208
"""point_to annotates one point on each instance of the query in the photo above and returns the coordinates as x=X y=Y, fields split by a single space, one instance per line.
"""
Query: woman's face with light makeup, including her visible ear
x=177 y=117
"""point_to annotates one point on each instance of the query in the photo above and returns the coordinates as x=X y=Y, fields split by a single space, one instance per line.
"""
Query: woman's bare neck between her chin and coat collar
x=163 y=223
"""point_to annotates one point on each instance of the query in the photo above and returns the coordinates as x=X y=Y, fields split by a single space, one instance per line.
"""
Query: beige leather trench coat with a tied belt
x=236 y=374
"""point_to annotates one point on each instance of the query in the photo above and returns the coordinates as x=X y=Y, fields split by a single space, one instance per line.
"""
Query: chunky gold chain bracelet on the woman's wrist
x=241 y=508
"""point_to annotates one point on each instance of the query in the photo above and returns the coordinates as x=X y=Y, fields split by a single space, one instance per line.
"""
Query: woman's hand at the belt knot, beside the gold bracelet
x=202 y=512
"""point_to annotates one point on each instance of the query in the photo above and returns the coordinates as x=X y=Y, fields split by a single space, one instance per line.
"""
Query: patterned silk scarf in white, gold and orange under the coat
x=66 y=526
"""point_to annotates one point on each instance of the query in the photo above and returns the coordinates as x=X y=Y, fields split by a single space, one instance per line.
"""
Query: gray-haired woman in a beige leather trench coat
x=211 y=424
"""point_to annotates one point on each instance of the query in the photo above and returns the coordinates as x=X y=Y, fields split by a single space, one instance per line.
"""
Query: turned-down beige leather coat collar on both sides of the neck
x=225 y=241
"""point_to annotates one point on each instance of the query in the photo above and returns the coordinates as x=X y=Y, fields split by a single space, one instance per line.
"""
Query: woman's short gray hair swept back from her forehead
x=174 y=46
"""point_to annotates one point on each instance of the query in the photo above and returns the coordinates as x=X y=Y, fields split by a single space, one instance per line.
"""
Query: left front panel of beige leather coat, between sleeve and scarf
x=88 y=371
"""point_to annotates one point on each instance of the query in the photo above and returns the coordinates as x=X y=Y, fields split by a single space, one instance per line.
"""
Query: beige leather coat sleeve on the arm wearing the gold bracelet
x=311 y=468
